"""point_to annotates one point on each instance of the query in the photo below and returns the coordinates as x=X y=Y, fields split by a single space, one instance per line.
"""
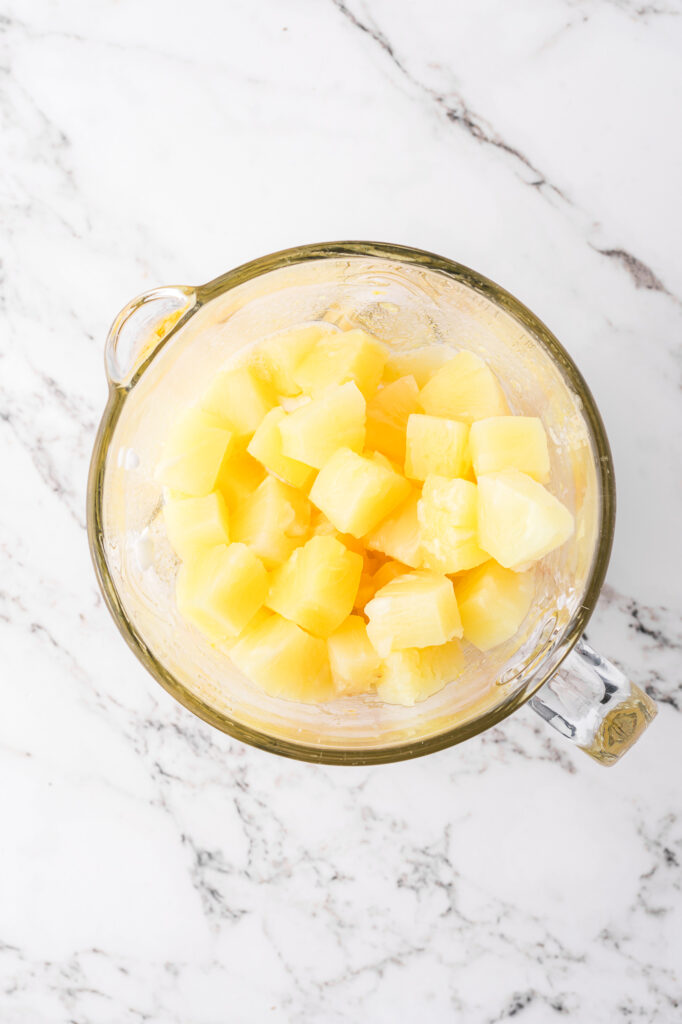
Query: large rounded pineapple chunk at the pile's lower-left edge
x=222 y=589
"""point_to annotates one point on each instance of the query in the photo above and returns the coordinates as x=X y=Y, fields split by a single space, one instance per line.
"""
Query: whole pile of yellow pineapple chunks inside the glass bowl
x=346 y=515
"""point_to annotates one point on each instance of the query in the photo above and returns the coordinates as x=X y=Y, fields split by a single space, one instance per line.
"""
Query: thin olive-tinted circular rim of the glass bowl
x=459 y=733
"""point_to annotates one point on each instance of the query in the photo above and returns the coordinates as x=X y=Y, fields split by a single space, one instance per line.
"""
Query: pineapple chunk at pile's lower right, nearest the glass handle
x=493 y=604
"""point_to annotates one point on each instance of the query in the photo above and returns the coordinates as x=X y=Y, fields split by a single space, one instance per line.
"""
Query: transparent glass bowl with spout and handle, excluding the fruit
x=162 y=352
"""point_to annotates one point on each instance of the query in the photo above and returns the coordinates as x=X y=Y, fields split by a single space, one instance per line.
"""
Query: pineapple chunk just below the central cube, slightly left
x=317 y=587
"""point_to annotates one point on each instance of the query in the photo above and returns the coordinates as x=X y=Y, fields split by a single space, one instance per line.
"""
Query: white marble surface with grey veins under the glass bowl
x=152 y=870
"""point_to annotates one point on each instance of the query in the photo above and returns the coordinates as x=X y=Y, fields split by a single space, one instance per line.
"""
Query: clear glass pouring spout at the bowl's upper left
x=141 y=327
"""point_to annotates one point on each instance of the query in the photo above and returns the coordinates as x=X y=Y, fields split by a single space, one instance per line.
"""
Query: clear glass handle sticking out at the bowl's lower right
x=590 y=702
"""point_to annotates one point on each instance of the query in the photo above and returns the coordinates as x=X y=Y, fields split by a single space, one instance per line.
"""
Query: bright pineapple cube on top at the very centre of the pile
x=357 y=493
